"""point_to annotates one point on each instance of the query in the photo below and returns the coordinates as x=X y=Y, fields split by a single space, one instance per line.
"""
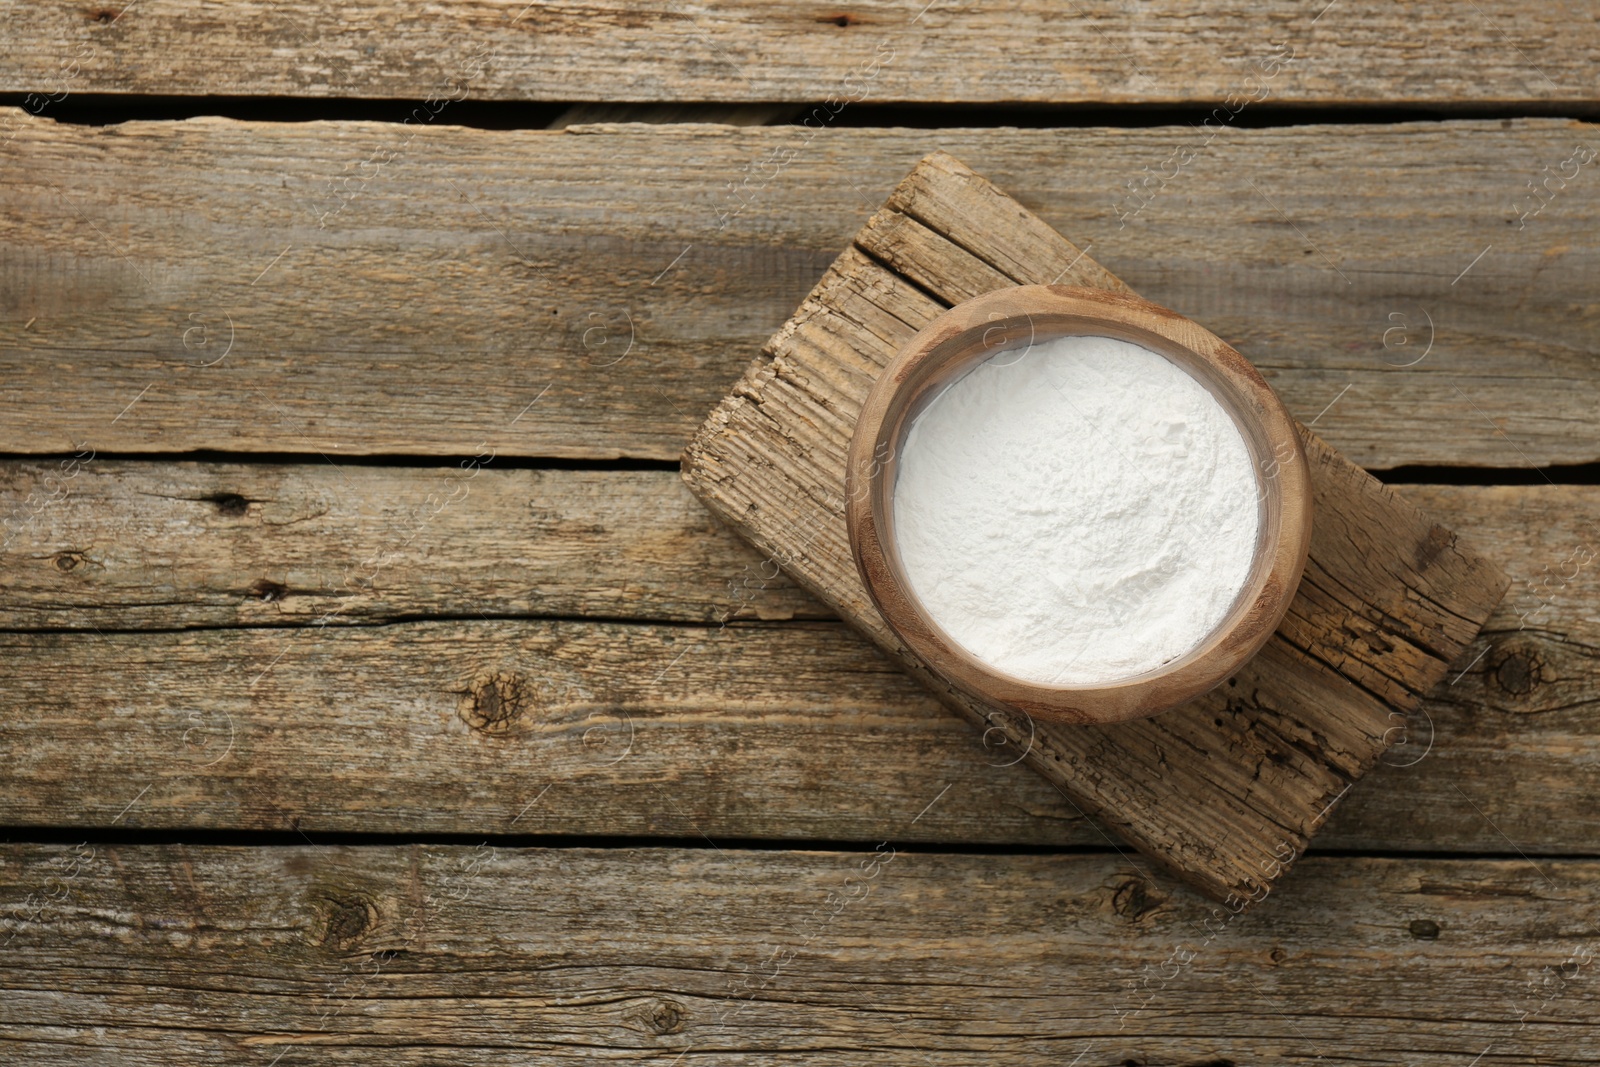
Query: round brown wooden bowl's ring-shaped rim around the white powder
x=970 y=334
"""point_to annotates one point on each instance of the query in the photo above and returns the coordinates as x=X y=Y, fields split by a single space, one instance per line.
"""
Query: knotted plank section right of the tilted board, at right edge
x=1508 y=746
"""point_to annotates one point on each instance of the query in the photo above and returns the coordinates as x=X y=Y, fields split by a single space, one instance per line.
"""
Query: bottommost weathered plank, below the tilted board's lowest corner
x=431 y=954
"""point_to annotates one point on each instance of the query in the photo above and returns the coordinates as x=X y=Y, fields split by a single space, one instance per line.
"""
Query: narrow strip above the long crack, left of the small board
x=137 y=545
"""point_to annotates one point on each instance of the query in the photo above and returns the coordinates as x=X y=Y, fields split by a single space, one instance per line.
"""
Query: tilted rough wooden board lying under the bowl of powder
x=1225 y=791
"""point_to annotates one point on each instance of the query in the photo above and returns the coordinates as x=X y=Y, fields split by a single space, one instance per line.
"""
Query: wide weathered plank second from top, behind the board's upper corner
x=622 y=278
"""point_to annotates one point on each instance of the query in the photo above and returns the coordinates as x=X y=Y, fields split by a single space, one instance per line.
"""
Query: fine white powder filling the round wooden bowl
x=1076 y=513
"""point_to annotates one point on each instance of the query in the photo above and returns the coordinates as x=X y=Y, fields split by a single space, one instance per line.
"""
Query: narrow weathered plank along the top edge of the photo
x=1361 y=52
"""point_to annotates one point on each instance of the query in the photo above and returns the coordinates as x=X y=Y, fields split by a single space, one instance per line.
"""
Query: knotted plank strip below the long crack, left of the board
x=484 y=727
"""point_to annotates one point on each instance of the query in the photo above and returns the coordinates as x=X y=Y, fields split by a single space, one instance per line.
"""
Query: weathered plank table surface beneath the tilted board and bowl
x=375 y=692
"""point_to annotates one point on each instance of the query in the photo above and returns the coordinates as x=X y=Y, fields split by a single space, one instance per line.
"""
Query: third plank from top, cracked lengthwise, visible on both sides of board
x=148 y=549
